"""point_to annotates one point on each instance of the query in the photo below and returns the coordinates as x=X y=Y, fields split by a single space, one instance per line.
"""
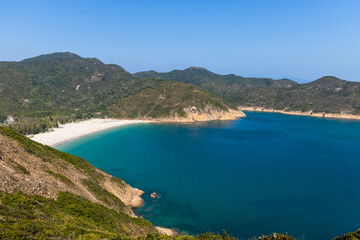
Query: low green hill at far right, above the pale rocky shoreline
x=327 y=94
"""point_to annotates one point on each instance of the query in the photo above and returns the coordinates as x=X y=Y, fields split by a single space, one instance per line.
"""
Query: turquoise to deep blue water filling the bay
x=257 y=175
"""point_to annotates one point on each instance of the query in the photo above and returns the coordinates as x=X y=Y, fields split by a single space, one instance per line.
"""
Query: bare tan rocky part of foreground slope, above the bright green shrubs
x=37 y=170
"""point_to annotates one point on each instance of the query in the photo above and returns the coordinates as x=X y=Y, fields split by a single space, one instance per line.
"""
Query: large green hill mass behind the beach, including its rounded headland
x=60 y=87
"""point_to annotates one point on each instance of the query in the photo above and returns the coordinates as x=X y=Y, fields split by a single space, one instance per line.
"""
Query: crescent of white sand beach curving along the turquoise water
x=70 y=131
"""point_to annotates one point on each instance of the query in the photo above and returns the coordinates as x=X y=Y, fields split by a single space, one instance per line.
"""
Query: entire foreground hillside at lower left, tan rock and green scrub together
x=48 y=194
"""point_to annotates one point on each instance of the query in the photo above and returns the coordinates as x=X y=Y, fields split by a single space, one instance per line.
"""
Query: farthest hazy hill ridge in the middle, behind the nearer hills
x=221 y=85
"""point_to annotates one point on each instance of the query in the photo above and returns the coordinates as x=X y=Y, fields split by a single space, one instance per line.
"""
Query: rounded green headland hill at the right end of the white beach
x=168 y=99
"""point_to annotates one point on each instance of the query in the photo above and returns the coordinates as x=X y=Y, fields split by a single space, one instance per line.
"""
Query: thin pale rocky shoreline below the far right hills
x=299 y=113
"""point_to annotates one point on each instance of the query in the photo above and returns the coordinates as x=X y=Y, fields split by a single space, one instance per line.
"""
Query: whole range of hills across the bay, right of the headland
x=328 y=94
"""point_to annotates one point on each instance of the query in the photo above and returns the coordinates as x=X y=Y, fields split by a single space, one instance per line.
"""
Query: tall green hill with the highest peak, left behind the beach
x=62 y=83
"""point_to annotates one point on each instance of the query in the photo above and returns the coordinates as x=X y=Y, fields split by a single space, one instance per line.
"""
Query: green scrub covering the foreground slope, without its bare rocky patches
x=70 y=215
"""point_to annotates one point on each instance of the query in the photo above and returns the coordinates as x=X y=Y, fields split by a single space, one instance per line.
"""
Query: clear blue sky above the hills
x=300 y=39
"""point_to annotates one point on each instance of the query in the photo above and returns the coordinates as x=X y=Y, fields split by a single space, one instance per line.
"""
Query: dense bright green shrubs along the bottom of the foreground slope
x=69 y=217
